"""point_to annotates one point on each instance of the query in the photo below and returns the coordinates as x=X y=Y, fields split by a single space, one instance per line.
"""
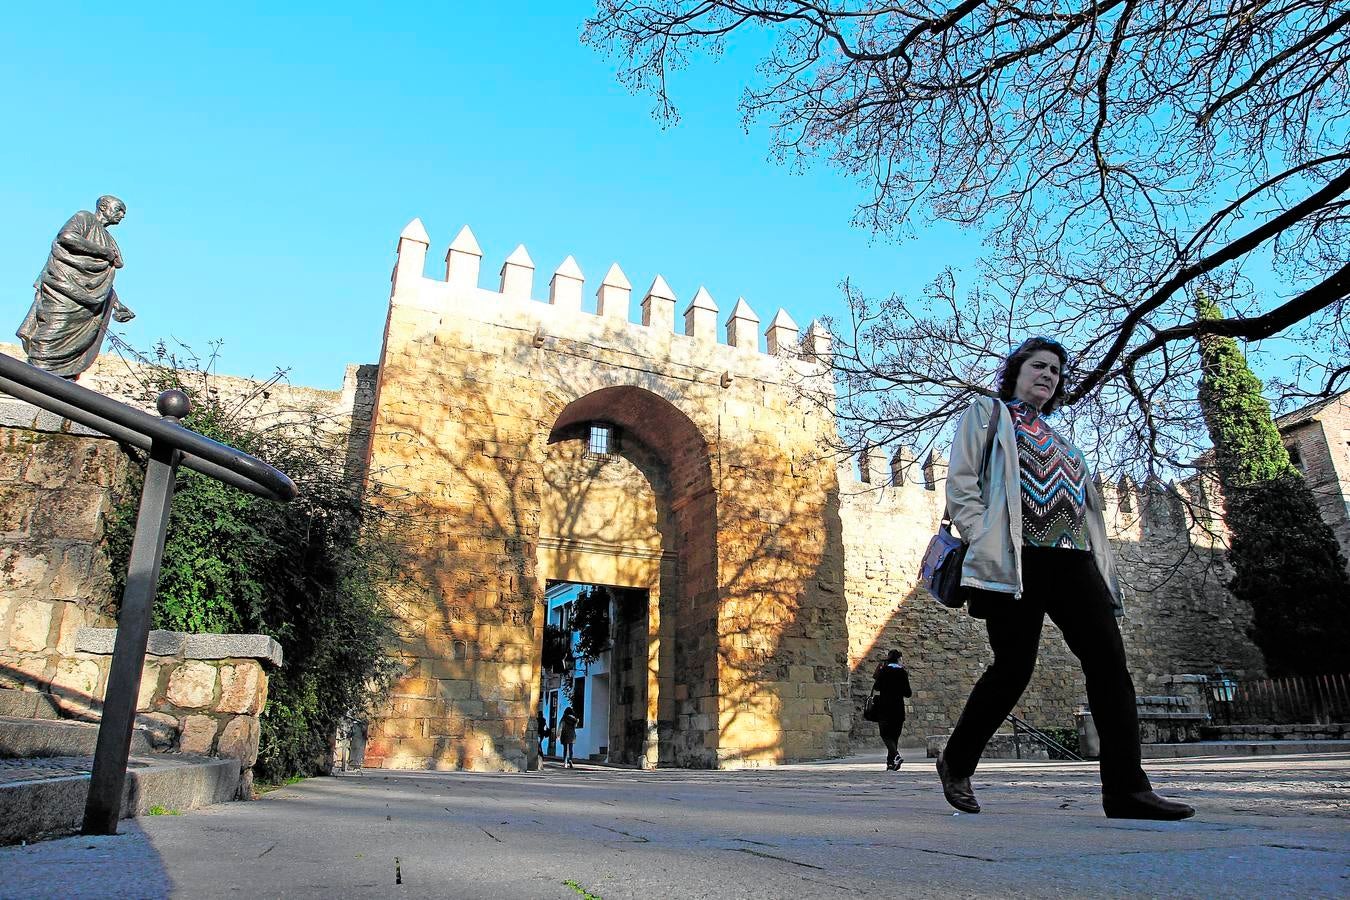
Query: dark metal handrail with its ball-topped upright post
x=169 y=446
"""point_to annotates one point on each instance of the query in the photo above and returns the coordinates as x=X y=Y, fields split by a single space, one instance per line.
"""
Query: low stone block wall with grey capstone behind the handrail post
x=199 y=693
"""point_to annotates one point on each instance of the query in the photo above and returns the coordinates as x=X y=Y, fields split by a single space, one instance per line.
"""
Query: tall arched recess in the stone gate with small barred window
x=627 y=501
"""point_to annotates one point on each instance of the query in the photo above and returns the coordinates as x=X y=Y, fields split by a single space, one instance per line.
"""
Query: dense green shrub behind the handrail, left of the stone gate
x=308 y=573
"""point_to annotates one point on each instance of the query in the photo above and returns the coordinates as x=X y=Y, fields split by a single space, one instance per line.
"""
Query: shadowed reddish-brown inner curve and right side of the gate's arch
x=682 y=662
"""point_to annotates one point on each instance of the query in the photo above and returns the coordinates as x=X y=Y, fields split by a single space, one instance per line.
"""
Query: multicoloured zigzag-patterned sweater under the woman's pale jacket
x=1055 y=478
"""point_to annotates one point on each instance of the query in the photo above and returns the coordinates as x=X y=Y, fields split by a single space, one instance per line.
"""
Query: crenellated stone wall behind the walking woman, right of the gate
x=1179 y=617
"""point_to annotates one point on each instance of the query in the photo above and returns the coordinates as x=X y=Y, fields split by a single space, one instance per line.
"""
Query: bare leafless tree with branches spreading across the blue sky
x=1118 y=154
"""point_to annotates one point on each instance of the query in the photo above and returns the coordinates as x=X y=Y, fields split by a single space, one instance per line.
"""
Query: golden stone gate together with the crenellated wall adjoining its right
x=526 y=442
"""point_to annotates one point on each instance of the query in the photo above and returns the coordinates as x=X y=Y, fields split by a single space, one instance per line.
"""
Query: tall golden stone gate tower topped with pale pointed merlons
x=746 y=646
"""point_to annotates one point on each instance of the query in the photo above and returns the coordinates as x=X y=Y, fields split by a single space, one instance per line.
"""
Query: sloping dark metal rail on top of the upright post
x=137 y=428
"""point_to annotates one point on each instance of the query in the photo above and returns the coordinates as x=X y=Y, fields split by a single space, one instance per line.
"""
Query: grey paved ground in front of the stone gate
x=1268 y=828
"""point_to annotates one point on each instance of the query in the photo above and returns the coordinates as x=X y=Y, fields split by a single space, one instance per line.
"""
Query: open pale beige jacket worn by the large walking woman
x=989 y=517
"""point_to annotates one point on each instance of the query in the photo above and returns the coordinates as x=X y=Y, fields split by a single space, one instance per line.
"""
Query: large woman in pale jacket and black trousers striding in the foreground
x=1039 y=547
